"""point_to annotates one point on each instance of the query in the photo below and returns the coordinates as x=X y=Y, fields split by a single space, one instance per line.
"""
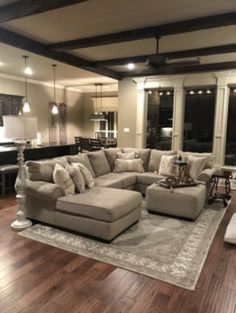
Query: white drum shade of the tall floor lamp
x=20 y=127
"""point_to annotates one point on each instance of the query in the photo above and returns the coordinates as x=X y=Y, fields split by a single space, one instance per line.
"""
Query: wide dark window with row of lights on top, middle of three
x=199 y=120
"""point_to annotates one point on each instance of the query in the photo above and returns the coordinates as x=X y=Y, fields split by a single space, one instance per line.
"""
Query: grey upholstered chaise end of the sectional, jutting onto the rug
x=101 y=212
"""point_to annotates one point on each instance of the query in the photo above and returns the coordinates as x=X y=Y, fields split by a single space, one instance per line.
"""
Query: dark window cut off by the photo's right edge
x=230 y=152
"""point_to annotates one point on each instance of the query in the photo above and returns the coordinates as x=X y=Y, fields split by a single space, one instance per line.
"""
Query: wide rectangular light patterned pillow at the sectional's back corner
x=122 y=165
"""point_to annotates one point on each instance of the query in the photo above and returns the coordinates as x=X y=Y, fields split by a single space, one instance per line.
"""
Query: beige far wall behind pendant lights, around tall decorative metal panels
x=39 y=97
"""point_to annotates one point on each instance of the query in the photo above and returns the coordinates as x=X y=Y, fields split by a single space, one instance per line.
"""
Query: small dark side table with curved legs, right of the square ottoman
x=225 y=196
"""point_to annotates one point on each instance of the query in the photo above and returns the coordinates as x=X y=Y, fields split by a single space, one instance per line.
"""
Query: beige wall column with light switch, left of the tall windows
x=127 y=110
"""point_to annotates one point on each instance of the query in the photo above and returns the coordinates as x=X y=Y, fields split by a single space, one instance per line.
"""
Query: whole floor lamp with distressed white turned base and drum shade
x=20 y=129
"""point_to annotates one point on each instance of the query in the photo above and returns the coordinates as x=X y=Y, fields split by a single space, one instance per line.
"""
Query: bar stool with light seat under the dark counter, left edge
x=6 y=172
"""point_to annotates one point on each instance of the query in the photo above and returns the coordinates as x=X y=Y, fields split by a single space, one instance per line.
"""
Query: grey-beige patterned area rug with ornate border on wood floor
x=170 y=249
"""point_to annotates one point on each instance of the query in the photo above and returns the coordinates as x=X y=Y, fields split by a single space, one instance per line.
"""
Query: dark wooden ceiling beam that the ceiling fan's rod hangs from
x=200 y=23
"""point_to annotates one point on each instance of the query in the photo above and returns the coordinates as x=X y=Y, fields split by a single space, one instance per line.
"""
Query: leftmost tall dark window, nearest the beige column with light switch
x=159 y=119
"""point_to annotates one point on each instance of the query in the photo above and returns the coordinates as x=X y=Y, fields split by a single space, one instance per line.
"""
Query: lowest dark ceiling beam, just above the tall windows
x=171 y=70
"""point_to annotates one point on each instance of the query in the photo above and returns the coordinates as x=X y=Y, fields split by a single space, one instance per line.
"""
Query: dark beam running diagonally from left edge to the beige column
x=12 y=39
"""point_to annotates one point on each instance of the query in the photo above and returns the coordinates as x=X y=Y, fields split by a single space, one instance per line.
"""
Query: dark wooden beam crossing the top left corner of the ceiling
x=25 y=8
